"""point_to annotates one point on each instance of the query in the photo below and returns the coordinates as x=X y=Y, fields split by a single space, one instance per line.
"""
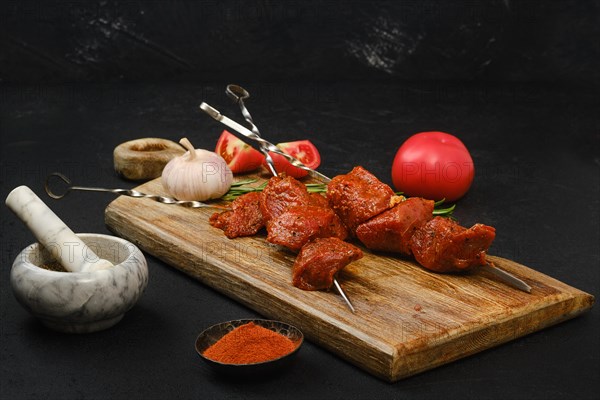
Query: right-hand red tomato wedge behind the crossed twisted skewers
x=303 y=150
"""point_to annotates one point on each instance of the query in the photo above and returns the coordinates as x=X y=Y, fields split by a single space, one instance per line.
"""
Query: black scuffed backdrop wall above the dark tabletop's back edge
x=253 y=41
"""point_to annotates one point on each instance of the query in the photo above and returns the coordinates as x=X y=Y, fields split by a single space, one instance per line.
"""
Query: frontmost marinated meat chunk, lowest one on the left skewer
x=320 y=260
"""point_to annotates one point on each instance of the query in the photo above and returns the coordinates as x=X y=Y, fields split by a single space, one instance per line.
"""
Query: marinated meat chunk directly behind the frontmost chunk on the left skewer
x=297 y=225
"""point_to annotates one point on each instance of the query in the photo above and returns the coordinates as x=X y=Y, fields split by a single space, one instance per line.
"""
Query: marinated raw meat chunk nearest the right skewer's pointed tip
x=442 y=245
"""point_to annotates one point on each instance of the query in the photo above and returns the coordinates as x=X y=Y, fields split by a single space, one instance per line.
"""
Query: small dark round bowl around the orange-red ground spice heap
x=211 y=335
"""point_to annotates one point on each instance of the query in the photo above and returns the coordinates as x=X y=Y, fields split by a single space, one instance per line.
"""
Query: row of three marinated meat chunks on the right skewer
x=438 y=244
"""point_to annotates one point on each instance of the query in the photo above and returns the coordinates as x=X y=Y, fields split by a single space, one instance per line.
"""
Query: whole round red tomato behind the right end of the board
x=433 y=165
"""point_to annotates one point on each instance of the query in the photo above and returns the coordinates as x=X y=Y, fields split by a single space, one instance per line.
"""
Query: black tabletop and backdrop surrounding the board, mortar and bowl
x=517 y=81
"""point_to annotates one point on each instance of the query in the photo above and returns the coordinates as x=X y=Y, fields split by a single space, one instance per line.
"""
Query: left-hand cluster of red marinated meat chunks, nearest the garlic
x=298 y=220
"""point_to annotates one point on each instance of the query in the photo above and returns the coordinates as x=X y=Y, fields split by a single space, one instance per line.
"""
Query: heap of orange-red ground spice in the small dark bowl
x=248 y=344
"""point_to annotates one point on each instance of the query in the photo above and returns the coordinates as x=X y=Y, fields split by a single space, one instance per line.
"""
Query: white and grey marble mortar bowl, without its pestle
x=81 y=302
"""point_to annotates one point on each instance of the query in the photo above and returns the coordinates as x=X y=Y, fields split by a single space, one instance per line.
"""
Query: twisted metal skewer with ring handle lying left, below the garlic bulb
x=124 y=192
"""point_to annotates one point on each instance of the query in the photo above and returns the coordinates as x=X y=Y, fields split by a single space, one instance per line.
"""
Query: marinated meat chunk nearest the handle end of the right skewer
x=358 y=196
